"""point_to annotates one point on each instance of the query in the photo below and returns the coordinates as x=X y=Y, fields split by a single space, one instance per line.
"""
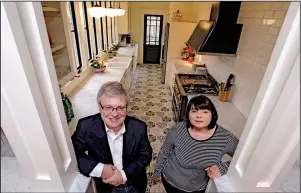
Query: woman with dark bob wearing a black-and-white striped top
x=193 y=149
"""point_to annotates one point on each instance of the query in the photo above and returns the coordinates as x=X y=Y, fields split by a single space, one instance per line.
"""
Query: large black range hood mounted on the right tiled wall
x=220 y=35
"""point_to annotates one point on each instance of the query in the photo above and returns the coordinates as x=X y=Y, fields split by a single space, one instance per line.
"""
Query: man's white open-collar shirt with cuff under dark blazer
x=116 y=147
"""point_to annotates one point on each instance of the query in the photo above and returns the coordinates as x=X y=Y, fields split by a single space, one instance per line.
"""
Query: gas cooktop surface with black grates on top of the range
x=197 y=84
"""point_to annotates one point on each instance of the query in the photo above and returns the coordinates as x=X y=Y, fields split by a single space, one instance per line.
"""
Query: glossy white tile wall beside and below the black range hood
x=262 y=22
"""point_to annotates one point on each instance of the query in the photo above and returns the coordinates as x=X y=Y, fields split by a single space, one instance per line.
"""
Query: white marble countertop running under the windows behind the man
x=83 y=100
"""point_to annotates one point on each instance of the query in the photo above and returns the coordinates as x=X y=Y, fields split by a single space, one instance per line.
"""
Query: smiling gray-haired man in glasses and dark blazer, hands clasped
x=118 y=149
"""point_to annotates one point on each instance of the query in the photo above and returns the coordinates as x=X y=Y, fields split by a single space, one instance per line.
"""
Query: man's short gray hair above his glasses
x=111 y=89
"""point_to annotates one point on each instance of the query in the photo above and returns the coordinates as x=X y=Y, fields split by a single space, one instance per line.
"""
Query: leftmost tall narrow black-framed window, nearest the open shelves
x=75 y=39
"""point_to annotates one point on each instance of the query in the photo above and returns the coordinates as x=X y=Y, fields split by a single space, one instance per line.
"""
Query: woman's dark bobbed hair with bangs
x=202 y=102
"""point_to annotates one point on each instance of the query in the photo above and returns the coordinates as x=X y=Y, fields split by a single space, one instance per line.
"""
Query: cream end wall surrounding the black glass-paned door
x=138 y=9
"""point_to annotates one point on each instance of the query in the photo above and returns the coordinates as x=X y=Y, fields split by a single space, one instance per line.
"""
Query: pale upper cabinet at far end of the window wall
x=123 y=22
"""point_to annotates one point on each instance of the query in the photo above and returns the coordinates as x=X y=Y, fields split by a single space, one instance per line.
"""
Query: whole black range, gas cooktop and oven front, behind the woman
x=190 y=84
